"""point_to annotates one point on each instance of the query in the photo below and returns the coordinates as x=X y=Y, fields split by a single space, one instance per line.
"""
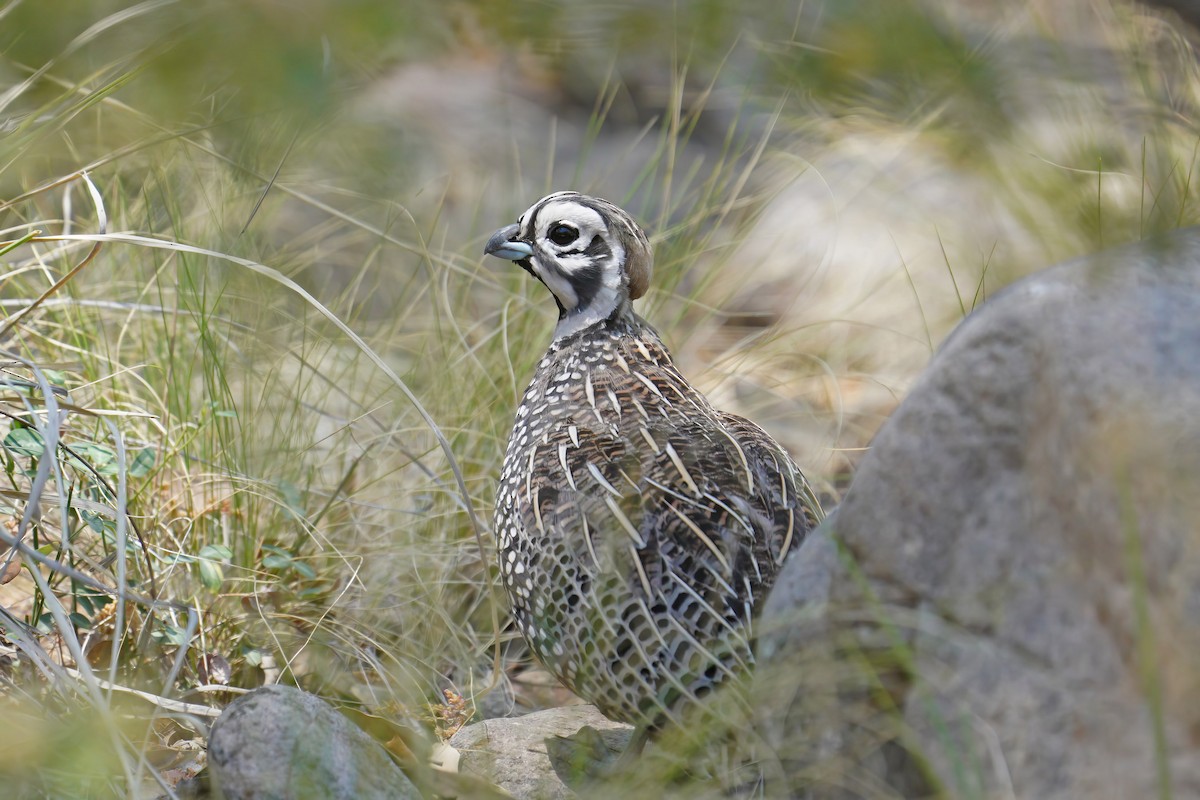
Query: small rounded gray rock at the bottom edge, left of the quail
x=283 y=743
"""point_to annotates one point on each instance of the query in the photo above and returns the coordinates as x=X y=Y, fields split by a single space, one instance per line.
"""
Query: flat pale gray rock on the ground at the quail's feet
x=513 y=755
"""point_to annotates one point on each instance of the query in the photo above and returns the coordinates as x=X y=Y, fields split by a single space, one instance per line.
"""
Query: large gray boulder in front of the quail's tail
x=1018 y=609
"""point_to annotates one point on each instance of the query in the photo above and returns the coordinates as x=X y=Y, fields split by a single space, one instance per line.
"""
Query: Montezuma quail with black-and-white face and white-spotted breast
x=639 y=527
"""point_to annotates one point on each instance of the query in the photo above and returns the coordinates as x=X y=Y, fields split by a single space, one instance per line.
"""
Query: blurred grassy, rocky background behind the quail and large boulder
x=274 y=404
